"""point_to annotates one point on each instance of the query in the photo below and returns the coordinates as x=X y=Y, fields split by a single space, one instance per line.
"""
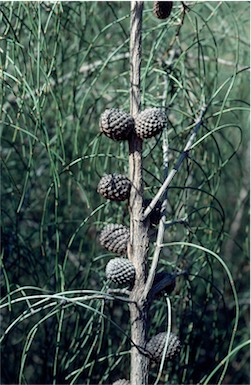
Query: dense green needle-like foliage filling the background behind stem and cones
x=62 y=65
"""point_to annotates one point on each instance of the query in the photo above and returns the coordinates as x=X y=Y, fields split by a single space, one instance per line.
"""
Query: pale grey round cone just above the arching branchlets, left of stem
x=121 y=271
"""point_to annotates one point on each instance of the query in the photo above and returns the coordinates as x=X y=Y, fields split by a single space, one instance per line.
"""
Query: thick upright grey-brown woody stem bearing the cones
x=138 y=245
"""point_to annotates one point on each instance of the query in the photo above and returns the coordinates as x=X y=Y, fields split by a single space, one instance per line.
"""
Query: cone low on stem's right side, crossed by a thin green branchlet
x=155 y=346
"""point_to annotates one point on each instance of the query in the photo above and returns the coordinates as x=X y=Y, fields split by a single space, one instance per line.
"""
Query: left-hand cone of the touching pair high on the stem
x=116 y=124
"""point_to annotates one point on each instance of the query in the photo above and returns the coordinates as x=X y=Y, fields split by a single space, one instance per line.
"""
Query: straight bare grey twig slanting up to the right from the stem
x=176 y=168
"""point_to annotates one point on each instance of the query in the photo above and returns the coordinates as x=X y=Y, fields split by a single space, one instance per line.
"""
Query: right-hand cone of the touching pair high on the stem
x=150 y=122
